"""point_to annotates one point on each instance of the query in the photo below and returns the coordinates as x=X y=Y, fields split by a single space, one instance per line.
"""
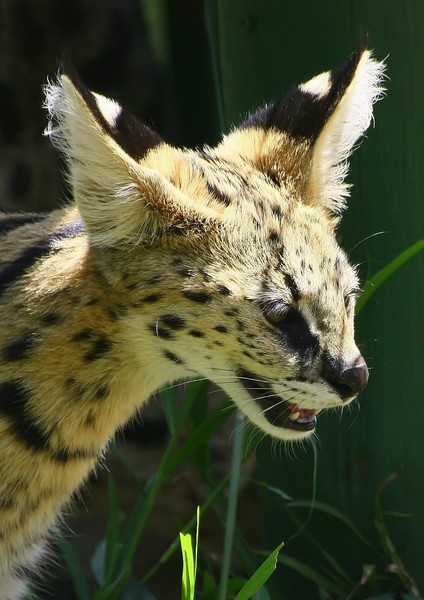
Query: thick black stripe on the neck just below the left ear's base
x=31 y=254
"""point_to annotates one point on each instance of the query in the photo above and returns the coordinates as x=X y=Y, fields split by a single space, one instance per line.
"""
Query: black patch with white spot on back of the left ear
x=135 y=138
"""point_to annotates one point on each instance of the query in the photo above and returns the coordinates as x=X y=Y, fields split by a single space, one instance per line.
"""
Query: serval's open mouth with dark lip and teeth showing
x=277 y=412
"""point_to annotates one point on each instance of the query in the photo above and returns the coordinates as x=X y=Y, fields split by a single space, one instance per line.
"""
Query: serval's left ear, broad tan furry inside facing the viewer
x=122 y=198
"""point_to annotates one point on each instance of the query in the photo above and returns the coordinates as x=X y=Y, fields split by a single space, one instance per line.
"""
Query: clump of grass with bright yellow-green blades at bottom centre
x=112 y=561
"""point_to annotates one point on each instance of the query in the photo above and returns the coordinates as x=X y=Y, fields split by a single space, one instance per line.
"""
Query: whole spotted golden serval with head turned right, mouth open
x=174 y=264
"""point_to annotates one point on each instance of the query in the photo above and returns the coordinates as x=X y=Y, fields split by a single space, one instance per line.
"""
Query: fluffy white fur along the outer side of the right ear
x=347 y=123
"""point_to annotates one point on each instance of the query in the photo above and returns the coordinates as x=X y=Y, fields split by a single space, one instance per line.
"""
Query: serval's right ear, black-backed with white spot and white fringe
x=305 y=138
